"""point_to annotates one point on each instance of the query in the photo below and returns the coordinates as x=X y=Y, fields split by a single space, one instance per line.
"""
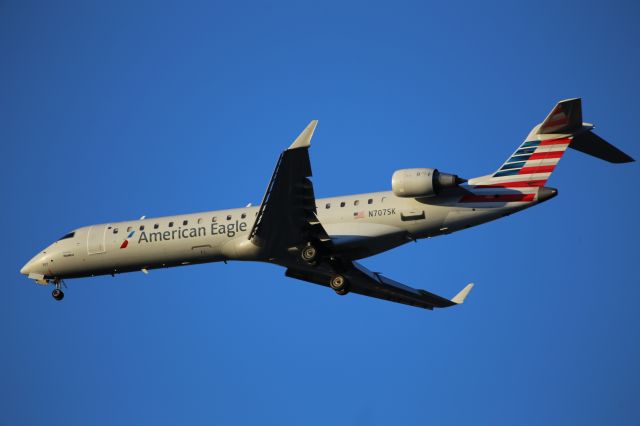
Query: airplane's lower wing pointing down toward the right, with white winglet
x=372 y=284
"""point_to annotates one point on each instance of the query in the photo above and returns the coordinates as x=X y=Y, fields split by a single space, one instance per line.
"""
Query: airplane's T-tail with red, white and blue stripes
x=531 y=165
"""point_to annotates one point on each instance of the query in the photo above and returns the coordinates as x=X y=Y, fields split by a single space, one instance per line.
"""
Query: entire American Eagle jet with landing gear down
x=319 y=240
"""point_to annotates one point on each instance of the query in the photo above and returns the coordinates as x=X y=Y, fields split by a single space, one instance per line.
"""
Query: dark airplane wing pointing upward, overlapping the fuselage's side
x=287 y=216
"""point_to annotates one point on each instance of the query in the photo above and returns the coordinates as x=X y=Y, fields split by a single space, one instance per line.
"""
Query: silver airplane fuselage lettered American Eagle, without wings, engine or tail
x=359 y=225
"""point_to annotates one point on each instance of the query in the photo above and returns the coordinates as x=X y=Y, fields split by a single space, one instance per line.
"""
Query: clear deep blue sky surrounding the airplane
x=115 y=110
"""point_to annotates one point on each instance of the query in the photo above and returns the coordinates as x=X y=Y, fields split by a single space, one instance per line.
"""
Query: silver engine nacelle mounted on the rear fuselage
x=417 y=183
